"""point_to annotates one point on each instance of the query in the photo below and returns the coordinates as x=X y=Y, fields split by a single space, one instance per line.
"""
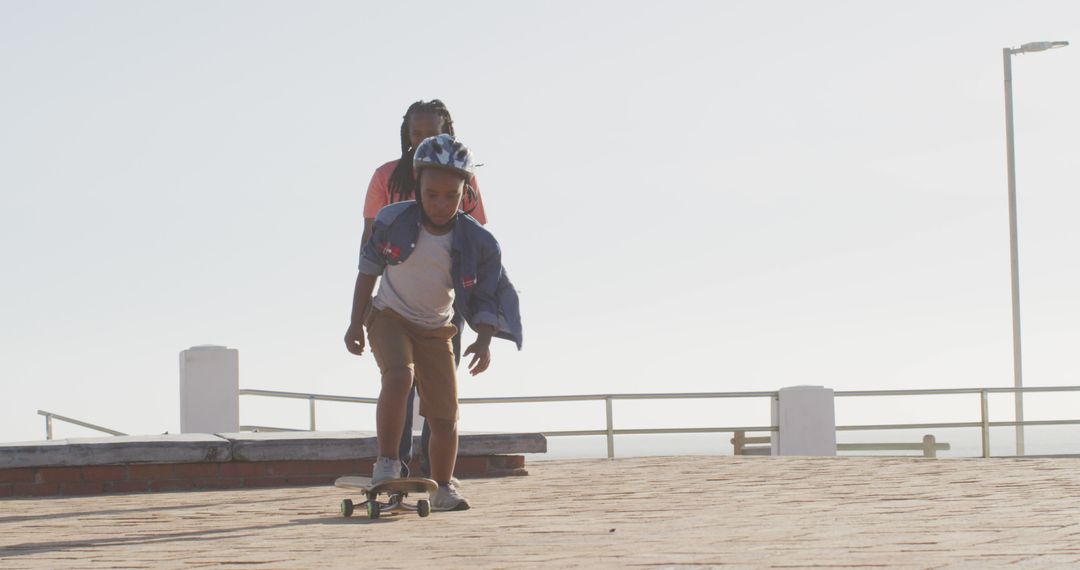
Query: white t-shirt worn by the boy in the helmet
x=421 y=289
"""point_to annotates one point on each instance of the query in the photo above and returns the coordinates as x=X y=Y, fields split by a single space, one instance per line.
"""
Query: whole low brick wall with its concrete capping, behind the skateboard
x=225 y=462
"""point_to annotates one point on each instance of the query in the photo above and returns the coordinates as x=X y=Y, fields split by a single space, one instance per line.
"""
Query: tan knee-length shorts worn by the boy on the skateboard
x=429 y=355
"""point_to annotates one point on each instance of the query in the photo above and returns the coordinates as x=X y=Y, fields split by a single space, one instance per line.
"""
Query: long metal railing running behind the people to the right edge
x=984 y=425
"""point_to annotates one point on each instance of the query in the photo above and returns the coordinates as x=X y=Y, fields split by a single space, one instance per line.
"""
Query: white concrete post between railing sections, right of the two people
x=807 y=419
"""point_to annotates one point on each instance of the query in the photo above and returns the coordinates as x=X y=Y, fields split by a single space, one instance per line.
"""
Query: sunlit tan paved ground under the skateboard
x=651 y=512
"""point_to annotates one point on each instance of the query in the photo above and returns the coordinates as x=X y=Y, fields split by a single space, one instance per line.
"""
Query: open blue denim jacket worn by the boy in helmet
x=483 y=292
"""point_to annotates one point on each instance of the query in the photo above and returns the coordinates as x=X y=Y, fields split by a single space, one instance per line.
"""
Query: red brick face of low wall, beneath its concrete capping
x=152 y=478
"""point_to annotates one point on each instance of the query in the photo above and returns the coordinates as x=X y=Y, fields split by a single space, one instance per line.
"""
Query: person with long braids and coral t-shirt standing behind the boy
x=395 y=182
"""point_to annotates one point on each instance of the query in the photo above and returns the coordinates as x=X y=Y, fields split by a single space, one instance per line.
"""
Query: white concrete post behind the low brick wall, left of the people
x=210 y=390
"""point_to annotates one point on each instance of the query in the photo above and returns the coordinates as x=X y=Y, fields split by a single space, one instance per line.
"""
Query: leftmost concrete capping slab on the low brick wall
x=125 y=450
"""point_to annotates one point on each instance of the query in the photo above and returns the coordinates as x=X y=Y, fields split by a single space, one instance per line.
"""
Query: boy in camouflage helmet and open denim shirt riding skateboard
x=435 y=261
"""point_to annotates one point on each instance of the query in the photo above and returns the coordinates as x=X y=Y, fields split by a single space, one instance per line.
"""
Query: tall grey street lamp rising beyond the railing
x=1018 y=368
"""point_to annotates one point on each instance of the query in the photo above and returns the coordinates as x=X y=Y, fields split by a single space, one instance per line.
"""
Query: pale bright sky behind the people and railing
x=691 y=197
